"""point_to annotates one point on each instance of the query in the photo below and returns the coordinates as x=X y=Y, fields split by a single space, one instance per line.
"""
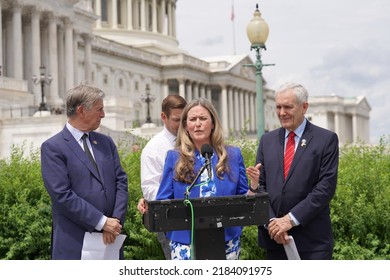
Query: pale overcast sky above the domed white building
x=333 y=46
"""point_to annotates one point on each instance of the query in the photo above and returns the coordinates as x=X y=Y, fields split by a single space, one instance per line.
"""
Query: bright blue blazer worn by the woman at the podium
x=234 y=183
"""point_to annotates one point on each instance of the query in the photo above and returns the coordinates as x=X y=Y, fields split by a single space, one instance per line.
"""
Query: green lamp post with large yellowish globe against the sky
x=257 y=32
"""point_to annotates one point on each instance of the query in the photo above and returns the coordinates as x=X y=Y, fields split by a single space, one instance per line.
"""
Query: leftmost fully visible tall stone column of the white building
x=17 y=43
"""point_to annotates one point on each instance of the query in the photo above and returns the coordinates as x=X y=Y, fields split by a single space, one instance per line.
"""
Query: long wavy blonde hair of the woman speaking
x=184 y=169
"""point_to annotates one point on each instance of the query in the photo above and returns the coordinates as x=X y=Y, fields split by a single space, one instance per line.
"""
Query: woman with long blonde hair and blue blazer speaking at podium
x=200 y=127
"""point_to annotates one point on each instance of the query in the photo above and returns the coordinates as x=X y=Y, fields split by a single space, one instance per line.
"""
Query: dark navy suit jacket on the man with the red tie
x=308 y=189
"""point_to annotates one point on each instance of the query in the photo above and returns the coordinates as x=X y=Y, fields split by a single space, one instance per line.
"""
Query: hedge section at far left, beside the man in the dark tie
x=25 y=219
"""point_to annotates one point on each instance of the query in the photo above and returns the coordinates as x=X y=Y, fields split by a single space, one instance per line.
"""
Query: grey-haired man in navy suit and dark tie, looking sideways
x=88 y=194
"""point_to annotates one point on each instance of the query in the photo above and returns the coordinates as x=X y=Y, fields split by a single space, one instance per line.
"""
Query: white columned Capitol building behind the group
x=129 y=49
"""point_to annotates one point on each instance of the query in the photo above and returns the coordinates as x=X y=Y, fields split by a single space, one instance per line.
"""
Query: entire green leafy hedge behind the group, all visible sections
x=360 y=210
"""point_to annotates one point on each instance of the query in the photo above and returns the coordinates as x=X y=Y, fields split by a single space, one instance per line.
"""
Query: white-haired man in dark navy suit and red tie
x=299 y=200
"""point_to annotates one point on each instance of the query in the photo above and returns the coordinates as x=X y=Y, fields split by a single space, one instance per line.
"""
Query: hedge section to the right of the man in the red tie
x=361 y=209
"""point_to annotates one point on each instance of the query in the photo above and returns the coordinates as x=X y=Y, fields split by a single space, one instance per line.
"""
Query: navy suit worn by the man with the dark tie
x=80 y=195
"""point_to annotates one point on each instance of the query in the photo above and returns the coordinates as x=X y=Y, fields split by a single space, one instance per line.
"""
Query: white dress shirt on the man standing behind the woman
x=152 y=162
